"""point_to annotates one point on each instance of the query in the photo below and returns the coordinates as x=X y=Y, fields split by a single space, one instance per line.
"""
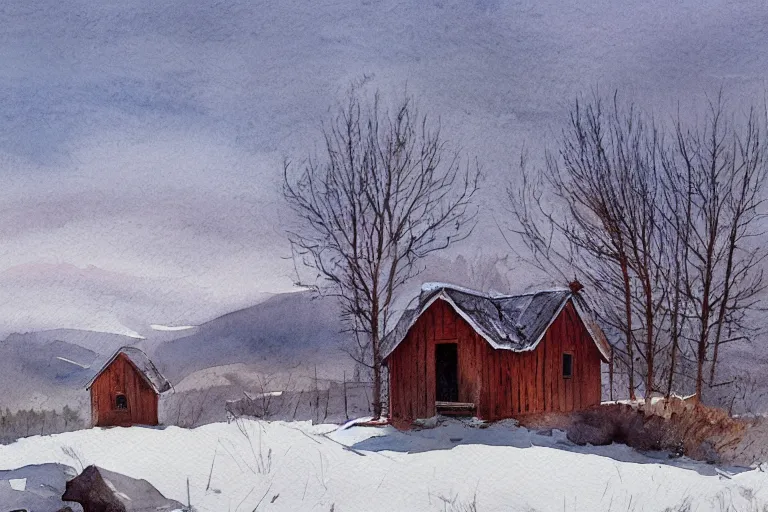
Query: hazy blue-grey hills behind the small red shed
x=287 y=334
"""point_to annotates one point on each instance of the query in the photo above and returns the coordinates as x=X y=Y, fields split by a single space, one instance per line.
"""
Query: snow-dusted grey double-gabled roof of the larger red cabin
x=507 y=322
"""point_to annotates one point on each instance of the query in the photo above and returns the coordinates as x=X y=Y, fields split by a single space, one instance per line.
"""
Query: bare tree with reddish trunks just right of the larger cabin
x=603 y=225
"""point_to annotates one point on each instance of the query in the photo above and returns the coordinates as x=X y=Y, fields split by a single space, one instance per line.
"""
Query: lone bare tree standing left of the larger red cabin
x=386 y=193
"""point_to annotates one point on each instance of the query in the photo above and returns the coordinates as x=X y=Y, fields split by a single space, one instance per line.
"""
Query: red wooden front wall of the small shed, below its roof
x=122 y=377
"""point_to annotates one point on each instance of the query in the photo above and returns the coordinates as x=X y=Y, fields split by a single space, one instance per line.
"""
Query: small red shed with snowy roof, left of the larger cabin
x=126 y=390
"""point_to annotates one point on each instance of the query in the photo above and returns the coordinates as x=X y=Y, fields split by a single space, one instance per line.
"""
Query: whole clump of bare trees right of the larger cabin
x=665 y=230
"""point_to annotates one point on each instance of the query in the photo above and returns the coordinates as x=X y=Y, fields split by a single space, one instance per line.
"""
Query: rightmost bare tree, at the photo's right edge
x=720 y=169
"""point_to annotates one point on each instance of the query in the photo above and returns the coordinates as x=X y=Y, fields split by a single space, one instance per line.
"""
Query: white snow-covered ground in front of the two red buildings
x=254 y=465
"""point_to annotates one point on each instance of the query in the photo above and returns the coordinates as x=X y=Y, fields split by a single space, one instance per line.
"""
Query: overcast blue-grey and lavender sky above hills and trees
x=141 y=141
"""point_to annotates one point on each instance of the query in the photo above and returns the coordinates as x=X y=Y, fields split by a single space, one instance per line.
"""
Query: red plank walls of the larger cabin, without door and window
x=501 y=383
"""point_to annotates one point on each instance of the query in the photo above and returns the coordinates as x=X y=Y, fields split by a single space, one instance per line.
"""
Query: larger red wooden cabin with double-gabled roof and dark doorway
x=464 y=352
